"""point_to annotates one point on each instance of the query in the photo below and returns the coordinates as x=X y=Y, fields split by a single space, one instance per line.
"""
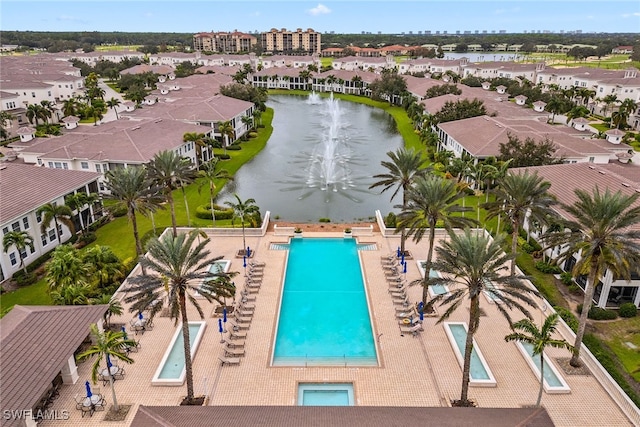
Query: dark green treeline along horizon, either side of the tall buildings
x=61 y=41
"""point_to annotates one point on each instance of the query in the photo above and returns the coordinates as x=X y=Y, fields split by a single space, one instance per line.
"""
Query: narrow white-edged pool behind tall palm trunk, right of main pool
x=479 y=373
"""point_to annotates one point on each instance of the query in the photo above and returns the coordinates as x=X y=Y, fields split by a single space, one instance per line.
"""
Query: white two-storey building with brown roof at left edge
x=24 y=189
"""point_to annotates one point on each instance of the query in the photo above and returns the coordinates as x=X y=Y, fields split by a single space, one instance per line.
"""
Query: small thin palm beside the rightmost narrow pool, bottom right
x=539 y=340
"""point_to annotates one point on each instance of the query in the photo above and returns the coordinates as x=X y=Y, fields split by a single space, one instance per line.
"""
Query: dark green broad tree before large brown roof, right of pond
x=528 y=152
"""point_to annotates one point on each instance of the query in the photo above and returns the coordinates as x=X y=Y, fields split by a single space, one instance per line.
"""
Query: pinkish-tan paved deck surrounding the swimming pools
x=414 y=371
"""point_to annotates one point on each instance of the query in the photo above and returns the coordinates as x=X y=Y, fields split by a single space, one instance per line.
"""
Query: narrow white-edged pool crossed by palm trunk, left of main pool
x=171 y=370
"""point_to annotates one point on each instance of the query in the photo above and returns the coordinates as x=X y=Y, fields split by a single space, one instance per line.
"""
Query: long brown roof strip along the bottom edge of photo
x=351 y=416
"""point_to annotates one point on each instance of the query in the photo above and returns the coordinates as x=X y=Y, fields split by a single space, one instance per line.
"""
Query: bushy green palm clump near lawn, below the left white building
x=66 y=268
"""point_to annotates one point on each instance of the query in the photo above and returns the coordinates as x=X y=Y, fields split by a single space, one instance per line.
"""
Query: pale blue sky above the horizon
x=342 y=16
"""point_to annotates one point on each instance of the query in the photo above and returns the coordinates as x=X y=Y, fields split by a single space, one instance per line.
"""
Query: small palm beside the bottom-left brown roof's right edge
x=107 y=344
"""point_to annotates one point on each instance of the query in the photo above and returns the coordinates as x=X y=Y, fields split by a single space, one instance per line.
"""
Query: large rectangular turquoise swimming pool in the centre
x=324 y=315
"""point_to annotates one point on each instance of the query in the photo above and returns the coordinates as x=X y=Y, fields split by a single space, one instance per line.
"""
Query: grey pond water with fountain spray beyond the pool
x=320 y=161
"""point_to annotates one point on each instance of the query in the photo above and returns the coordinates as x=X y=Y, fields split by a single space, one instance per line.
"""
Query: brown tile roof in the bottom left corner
x=35 y=343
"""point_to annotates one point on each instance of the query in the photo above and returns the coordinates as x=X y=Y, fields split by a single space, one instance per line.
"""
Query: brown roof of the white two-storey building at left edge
x=24 y=188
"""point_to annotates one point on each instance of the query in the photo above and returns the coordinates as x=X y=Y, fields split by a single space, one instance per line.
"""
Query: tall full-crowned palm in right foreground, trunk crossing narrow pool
x=474 y=262
